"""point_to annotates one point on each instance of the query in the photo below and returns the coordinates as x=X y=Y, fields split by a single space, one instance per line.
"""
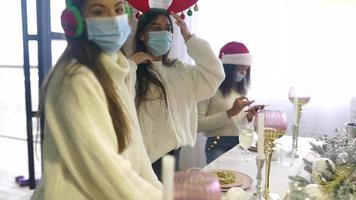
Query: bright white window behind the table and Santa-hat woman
x=306 y=42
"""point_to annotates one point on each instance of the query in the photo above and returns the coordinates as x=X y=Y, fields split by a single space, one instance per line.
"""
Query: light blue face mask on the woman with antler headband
x=159 y=42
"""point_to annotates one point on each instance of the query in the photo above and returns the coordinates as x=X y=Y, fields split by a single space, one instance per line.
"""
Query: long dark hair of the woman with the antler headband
x=146 y=75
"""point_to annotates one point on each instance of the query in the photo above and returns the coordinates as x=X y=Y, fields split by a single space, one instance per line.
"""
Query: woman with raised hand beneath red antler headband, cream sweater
x=167 y=91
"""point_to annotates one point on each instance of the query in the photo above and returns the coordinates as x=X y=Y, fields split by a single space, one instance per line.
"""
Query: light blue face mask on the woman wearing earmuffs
x=110 y=33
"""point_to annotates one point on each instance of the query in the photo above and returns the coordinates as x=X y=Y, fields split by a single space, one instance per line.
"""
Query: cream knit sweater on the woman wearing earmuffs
x=80 y=147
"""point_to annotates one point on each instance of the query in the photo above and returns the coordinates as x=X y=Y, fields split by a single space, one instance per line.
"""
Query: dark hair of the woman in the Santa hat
x=230 y=84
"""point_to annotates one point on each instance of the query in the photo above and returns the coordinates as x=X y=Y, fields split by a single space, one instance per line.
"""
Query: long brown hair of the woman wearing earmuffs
x=87 y=54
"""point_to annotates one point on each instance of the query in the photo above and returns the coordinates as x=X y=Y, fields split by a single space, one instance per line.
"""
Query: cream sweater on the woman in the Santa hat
x=213 y=120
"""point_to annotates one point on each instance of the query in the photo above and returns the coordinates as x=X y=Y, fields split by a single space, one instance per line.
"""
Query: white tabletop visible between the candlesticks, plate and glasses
x=281 y=168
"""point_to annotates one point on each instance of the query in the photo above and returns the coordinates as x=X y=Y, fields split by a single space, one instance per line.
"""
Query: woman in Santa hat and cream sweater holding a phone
x=221 y=116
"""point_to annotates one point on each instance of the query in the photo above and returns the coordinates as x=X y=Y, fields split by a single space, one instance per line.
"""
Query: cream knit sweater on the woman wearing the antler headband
x=165 y=128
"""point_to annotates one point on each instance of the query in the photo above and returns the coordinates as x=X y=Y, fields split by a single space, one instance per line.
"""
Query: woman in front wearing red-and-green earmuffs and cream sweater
x=92 y=145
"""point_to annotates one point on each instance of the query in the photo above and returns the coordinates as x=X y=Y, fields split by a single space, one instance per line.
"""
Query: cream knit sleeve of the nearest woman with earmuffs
x=84 y=135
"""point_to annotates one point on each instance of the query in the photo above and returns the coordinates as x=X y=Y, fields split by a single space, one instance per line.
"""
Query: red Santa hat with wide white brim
x=235 y=53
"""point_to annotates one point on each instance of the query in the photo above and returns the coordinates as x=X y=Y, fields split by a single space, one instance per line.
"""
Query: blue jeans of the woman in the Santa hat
x=216 y=146
